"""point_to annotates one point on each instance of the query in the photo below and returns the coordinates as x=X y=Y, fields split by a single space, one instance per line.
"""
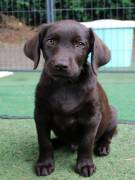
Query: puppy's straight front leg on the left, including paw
x=45 y=163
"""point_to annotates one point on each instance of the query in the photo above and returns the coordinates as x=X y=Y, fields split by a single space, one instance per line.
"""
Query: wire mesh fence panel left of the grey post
x=18 y=22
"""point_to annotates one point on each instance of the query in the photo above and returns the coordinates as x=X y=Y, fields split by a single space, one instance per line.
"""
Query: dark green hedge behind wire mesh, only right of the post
x=86 y=10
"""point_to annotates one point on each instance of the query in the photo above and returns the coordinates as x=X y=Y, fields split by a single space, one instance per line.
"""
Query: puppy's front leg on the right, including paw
x=85 y=166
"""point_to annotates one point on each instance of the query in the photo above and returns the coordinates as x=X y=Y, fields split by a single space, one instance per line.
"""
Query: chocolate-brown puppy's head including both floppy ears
x=65 y=46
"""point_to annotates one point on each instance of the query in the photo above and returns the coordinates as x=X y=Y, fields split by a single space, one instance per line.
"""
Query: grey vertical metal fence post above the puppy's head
x=50 y=8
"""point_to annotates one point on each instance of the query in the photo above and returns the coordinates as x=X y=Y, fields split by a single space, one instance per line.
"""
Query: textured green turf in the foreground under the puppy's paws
x=19 y=150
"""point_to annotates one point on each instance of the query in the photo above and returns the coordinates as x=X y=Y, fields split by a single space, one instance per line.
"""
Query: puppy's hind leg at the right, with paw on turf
x=102 y=147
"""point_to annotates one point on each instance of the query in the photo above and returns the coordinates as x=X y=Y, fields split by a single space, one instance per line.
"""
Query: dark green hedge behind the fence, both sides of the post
x=33 y=12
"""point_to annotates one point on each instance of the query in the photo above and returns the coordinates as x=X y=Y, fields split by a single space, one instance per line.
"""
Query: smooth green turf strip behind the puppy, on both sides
x=17 y=93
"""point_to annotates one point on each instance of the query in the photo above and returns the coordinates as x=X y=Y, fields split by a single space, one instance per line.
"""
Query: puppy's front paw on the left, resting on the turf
x=44 y=168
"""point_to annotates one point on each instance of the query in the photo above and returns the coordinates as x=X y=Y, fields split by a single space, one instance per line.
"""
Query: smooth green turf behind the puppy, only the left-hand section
x=17 y=94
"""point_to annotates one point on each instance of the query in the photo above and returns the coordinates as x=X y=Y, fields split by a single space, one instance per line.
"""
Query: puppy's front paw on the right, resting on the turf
x=85 y=168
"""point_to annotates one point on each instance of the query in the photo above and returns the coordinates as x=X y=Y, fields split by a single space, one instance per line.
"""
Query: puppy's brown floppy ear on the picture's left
x=33 y=46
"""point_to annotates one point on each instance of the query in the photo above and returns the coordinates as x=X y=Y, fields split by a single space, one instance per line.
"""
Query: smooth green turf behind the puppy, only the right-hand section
x=120 y=89
